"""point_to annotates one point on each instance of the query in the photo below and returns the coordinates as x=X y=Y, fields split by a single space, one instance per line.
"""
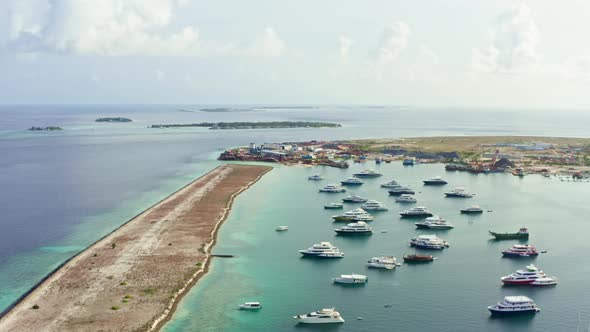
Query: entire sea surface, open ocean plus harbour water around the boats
x=63 y=190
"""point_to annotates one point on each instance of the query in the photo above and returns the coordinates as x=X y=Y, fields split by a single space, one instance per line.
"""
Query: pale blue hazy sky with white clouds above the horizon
x=464 y=53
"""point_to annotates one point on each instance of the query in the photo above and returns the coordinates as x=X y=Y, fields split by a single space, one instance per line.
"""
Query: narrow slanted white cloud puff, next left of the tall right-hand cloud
x=394 y=40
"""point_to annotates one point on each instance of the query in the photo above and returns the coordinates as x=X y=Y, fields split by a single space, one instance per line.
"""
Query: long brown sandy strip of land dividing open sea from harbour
x=133 y=278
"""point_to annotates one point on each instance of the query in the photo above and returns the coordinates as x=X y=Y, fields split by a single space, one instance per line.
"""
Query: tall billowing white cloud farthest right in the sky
x=514 y=38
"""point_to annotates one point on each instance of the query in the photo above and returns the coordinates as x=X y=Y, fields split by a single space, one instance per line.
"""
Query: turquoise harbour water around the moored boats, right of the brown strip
x=450 y=294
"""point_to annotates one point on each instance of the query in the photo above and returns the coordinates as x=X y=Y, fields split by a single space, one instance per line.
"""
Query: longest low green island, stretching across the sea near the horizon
x=252 y=125
